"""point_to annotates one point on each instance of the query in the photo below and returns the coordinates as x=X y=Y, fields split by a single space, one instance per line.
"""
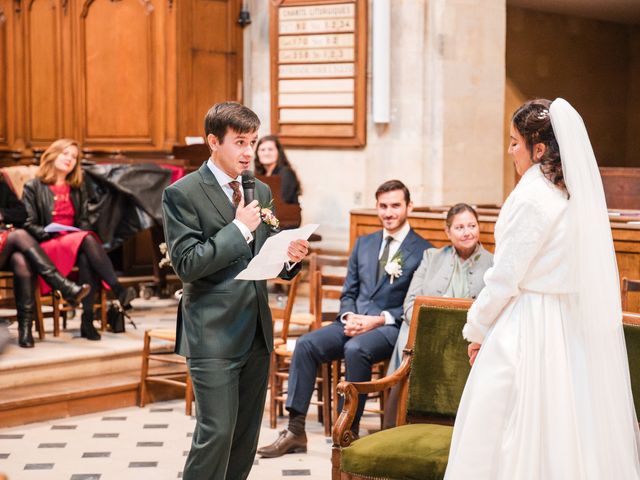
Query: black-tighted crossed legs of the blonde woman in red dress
x=94 y=265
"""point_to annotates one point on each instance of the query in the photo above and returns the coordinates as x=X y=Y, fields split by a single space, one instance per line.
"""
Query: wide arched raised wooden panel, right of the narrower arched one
x=117 y=61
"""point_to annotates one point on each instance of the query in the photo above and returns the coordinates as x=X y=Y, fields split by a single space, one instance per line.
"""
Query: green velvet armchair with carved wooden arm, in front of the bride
x=432 y=376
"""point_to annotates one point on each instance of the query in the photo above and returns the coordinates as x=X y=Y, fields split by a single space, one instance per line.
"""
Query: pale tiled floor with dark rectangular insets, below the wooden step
x=136 y=443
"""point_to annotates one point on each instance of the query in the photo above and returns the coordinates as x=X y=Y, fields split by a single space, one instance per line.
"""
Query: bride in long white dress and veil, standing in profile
x=549 y=396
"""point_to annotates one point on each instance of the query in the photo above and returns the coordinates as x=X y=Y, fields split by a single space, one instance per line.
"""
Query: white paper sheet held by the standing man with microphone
x=273 y=254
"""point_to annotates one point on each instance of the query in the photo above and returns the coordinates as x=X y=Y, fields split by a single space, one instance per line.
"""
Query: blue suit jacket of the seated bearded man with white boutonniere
x=364 y=295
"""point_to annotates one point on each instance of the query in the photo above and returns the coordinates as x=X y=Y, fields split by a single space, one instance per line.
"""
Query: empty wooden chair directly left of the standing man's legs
x=173 y=372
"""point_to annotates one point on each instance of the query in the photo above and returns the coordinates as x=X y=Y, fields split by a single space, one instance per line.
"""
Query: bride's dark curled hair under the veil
x=533 y=122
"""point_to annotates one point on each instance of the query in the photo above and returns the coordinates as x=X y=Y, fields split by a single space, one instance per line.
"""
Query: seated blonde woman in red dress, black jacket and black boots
x=57 y=195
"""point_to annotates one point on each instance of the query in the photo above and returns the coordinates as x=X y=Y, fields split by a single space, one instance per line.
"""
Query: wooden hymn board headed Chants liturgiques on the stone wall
x=318 y=72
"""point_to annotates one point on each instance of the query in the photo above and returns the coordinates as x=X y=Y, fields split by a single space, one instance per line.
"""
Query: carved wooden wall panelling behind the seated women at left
x=126 y=76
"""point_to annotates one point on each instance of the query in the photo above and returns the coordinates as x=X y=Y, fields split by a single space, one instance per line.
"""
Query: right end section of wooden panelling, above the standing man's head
x=210 y=63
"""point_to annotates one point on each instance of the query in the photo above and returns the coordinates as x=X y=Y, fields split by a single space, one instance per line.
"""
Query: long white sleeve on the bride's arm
x=521 y=239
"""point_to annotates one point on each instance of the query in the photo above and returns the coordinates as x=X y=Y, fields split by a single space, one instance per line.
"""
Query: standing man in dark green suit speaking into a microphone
x=224 y=325
